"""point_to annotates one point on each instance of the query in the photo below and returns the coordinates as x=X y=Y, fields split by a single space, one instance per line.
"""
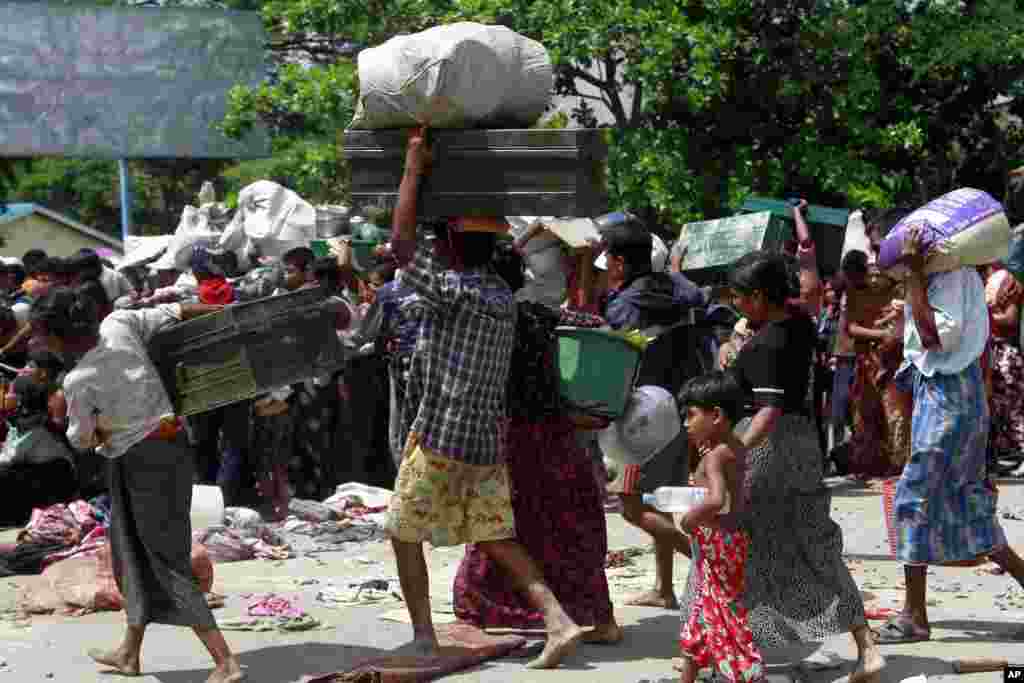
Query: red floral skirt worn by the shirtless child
x=717 y=632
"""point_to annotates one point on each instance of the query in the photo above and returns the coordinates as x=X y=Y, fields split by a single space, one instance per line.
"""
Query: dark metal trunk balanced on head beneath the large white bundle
x=532 y=173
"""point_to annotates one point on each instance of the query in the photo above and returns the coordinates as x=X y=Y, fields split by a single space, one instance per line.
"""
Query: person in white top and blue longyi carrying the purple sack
x=946 y=505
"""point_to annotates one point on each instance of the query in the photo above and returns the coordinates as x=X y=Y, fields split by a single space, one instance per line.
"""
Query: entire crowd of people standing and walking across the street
x=451 y=398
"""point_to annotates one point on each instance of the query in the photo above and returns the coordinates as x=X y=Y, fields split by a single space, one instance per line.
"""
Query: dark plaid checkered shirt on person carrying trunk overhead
x=460 y=365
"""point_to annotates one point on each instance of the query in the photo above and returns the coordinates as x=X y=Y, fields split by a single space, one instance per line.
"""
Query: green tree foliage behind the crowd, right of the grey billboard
x=865 y=103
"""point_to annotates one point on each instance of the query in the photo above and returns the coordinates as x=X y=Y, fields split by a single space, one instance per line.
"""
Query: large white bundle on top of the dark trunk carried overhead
x=457 y=76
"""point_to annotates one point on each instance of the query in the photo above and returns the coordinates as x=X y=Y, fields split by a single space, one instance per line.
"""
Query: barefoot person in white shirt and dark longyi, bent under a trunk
x=117 y=404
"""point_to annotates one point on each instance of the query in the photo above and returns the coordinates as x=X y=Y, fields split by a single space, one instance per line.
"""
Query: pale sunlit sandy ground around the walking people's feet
x=973 y=616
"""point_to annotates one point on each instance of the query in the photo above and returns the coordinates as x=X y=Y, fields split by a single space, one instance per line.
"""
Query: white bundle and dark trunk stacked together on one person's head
x=478 y=89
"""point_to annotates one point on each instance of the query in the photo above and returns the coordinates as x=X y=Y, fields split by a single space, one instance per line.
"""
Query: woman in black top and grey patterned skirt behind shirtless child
x=798 y=587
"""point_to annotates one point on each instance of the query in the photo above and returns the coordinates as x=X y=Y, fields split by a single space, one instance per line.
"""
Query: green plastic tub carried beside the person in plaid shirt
x=596 y=370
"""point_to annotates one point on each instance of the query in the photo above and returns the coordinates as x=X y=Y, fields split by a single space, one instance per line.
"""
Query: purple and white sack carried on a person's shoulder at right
x=963 y=229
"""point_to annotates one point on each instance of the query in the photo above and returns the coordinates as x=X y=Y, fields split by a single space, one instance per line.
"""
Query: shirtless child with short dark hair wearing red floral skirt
x=716 y=632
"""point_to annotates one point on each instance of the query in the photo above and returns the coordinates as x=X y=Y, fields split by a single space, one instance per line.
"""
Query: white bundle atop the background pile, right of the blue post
x=271 y=219
